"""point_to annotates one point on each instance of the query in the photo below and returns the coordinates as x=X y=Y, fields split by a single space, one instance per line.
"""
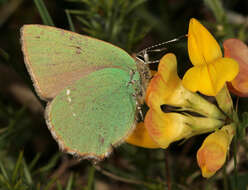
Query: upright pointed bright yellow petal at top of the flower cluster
x=202 y=46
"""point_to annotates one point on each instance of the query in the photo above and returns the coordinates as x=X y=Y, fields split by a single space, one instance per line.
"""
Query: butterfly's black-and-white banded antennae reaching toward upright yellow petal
x=143 y=55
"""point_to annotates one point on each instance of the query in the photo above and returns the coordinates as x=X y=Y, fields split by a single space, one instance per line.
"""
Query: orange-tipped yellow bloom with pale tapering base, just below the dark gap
x=165 y=128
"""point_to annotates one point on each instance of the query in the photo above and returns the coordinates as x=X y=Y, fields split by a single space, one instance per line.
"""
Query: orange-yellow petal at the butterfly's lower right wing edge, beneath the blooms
x=140 y=137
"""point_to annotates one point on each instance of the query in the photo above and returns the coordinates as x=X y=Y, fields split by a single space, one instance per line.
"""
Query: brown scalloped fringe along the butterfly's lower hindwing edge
x=83 y=155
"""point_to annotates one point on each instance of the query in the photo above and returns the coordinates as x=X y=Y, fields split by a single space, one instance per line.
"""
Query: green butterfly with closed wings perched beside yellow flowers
x=89 y=85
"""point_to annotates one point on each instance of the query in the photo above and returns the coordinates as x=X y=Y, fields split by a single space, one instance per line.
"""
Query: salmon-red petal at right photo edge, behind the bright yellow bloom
x=238 y=50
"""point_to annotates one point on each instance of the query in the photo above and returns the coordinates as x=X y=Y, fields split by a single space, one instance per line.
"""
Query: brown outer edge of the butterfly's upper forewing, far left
x=29 y=69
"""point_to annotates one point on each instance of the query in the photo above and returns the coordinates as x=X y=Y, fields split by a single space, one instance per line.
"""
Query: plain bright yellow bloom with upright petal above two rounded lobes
x=211 y=70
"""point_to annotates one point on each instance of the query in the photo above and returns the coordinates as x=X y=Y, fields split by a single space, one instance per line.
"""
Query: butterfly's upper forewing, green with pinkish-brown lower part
x=55 y=58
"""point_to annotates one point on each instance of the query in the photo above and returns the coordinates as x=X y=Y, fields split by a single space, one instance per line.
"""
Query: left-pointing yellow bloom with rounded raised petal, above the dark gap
x=166 y=88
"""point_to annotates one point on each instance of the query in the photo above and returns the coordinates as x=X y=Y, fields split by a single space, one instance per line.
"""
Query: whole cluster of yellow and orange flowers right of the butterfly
x=209 y=75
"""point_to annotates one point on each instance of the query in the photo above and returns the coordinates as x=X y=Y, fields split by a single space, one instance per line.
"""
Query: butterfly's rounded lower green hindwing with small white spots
x=94 y=114
